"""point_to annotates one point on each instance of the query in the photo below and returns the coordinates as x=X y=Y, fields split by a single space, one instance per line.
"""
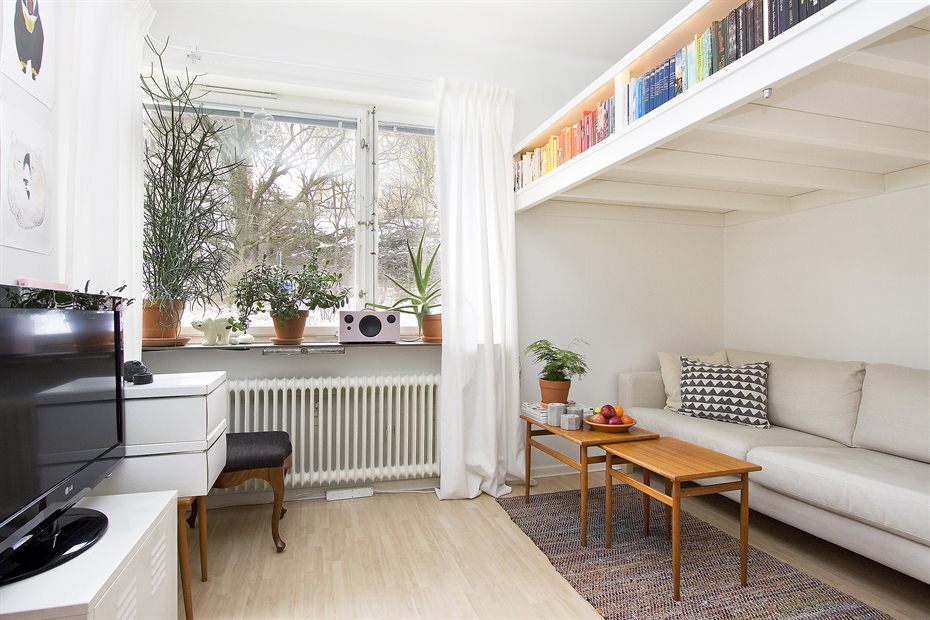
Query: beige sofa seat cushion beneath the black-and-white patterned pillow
x=729 y=439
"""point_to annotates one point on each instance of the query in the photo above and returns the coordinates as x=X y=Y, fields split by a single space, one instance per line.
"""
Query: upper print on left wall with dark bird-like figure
x=28 y=46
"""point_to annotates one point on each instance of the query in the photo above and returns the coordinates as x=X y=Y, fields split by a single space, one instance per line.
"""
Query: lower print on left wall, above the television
x=27 y=207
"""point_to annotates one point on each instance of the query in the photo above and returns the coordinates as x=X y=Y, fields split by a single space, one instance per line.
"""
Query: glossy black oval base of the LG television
x=71 y=534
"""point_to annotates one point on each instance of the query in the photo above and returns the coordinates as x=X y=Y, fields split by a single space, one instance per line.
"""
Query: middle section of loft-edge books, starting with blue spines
x=722 y=43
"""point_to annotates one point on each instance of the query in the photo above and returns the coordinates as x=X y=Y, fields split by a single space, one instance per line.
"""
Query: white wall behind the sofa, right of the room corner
x=850 y=281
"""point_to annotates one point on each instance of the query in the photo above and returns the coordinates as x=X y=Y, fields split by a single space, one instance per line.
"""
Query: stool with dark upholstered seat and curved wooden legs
x=263 y=454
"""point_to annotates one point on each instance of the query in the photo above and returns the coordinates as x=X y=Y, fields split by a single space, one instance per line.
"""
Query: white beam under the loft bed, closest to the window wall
x=641 y=194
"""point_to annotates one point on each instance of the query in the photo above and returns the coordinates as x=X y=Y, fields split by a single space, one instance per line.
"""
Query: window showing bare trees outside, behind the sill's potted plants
x=307 y=185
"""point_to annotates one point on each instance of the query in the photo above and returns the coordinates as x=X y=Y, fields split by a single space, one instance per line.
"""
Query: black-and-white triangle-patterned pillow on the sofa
x=725 y=393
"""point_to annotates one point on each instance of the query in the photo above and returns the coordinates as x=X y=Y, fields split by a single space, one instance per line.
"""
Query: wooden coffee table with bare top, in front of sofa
x=678 y=461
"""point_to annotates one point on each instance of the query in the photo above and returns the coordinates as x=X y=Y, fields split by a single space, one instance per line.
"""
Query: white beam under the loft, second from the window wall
x=738 y=169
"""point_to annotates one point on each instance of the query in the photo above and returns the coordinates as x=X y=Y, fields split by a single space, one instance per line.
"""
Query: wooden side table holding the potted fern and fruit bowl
x=584 y=439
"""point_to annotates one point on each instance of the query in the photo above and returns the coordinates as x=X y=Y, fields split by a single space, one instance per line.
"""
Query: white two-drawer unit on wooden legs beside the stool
x=175 y=435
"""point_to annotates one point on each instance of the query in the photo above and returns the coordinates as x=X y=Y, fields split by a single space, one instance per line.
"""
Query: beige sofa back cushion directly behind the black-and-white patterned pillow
x=820 y=397
